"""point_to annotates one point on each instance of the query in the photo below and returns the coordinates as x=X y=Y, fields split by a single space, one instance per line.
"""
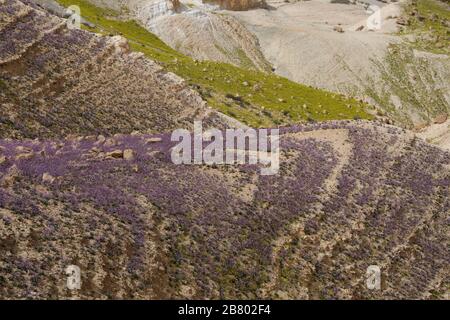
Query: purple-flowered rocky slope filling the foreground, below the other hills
x=347 y=196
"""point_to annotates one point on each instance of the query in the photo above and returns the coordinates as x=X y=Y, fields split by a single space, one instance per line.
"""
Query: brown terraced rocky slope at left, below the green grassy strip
x=56 y=82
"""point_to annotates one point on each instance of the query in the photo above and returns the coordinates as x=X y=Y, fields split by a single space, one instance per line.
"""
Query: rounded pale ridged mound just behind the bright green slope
x=206 y=35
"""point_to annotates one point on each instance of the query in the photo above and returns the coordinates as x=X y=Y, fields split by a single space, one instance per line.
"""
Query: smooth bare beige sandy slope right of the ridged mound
x=300 y=41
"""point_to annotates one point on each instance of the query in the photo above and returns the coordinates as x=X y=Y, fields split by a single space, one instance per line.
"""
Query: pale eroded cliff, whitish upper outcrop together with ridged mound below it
x=196 y=29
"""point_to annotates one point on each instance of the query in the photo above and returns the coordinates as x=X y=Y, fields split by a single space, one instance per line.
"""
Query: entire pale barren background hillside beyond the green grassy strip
x=400 y=65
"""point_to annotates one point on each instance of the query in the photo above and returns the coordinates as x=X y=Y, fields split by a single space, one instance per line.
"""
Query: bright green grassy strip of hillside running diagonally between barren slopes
x=256 y=98
